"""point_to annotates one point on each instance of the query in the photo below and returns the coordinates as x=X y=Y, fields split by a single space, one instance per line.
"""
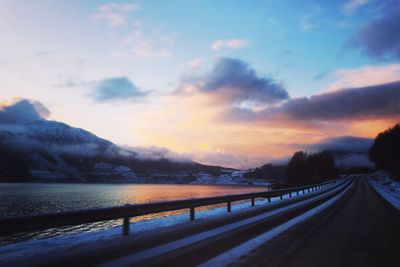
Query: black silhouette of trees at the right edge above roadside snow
x=385 y=152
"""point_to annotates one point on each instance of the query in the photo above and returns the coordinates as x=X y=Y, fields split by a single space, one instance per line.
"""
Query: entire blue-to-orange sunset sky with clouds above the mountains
x=231 y=83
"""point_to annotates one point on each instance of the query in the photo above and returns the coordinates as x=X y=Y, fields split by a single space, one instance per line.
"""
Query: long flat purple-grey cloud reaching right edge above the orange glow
x=357 y=103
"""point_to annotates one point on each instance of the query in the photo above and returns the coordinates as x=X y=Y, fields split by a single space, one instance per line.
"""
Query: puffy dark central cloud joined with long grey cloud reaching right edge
x=233 y=82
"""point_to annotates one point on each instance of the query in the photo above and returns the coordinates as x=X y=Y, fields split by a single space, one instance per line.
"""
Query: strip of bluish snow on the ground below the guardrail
x=36 y=248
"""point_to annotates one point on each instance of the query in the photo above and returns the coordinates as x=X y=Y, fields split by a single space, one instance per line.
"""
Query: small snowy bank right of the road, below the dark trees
x=388 y=188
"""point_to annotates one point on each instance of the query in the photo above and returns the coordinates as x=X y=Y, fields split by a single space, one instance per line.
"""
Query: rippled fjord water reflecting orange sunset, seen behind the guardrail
x=18 y=199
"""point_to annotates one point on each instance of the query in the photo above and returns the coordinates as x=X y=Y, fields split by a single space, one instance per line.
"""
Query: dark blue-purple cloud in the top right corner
x=380 y=38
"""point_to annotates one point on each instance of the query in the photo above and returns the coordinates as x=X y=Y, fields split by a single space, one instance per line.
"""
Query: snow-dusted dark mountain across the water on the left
x=45 y=150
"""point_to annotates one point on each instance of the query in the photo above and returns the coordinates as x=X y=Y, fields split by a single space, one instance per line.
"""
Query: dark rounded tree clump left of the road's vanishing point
x=309 y=168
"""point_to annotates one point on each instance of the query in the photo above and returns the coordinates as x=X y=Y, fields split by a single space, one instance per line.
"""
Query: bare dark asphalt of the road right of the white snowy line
x=362 y=231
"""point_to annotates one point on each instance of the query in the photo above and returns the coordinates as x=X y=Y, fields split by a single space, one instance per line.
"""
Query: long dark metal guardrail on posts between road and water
x=13 y=225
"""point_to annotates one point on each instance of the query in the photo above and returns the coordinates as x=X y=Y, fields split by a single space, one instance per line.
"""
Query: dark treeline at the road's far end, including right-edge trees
x=309 y=168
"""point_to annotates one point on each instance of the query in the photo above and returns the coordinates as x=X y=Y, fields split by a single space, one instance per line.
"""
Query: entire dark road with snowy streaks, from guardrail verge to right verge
x=359 y=229
